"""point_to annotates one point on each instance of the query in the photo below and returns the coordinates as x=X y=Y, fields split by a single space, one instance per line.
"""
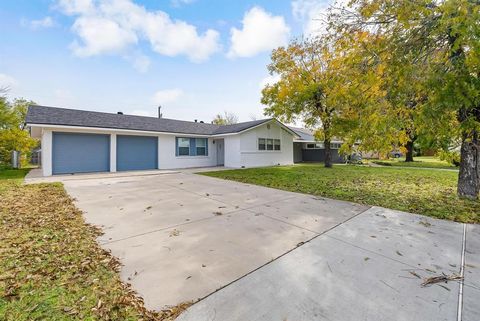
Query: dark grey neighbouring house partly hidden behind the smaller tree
x=307 y=149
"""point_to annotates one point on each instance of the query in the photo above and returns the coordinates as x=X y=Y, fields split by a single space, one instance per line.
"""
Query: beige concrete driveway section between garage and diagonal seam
x=181 y=236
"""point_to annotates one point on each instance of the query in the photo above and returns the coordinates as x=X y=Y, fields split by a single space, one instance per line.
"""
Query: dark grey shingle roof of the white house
x=82 y=118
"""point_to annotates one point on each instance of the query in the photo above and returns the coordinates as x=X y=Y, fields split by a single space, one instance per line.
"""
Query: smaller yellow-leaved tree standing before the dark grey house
x=305 y=90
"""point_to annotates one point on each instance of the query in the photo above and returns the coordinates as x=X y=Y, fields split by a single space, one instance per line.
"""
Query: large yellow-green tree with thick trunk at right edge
x=434 y=46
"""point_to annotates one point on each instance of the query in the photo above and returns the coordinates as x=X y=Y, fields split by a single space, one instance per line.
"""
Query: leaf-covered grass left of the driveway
x=51 y=267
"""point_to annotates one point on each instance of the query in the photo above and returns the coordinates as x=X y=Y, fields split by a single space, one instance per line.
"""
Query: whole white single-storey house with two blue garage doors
x=76 y=141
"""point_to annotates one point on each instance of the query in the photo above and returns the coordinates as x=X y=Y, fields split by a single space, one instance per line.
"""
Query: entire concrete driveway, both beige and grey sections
x=276 y=255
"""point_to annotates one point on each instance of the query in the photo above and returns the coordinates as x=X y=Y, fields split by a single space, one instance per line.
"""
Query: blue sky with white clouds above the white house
x=196 y=58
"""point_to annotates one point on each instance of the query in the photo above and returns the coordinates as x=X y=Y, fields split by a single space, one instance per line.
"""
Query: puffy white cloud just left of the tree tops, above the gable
x=261 y=32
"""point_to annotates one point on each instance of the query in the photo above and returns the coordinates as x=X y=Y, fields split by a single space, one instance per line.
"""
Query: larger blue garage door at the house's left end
x=80 y=153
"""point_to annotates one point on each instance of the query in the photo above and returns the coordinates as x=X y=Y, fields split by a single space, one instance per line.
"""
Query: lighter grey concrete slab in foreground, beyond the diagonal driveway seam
x=369 y=268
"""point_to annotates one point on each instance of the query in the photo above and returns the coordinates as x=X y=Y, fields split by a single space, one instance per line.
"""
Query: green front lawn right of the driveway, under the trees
x=422 y=191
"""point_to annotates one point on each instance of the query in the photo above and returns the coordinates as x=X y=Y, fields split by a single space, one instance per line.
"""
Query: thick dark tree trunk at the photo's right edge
x=469 y=175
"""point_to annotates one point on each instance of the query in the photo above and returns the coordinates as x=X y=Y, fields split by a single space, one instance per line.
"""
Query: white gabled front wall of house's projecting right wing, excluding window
x=250 y=156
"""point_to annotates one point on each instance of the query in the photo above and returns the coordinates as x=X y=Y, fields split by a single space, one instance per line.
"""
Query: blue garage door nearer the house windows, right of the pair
x=136 y=152
